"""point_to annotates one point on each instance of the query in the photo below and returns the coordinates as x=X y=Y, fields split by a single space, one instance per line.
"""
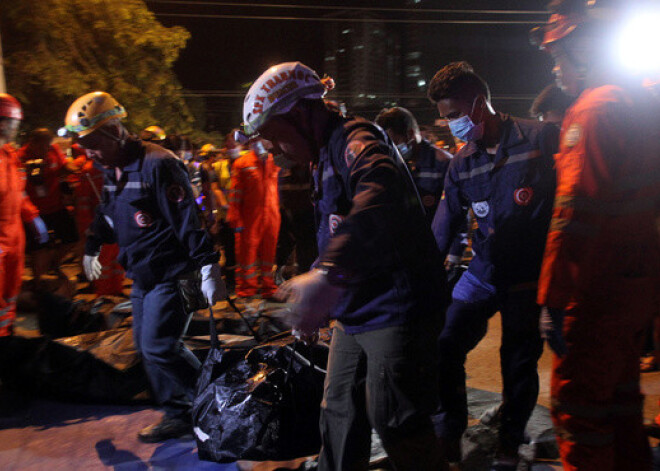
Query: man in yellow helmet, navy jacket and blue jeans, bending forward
x=149 y=210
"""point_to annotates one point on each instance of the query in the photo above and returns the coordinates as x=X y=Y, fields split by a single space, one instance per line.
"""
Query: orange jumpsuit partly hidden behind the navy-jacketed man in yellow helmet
x=88 y=190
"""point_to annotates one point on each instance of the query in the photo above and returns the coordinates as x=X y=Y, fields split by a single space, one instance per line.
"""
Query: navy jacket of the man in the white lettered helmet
x=372 y=234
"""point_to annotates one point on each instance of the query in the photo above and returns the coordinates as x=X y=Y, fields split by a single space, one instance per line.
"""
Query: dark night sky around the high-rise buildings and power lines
x=224 y=54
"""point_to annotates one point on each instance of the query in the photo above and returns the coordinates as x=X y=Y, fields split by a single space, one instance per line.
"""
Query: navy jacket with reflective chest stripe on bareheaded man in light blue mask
x=511 y=194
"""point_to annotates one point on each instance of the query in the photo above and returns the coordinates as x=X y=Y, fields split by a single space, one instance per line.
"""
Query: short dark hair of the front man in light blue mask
x=457 y=80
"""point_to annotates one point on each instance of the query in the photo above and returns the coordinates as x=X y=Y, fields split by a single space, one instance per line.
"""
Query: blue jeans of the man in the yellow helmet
x=159 y=322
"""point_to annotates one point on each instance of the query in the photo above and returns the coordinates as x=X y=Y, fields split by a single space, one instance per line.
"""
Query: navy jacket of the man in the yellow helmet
x=151 y=213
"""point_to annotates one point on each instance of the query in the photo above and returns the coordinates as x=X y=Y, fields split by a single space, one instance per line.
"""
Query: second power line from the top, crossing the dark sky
x=349 y=20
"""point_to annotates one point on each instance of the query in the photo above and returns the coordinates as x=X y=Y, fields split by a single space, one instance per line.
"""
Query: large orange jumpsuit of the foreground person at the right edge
x=602 y=267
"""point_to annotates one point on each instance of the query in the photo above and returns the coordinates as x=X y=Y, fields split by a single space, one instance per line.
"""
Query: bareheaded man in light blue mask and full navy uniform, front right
x=509 y=184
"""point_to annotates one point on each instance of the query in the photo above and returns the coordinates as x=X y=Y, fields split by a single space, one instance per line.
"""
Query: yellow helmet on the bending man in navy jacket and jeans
x=91 y=111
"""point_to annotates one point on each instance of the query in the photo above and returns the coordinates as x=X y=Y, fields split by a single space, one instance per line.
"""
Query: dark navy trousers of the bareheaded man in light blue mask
x=466 y=324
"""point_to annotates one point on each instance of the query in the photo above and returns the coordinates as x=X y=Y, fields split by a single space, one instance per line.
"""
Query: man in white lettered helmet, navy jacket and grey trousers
x=377 y=274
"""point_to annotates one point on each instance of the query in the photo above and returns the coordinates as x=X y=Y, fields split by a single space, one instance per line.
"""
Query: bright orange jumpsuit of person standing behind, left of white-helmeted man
x=254 y=207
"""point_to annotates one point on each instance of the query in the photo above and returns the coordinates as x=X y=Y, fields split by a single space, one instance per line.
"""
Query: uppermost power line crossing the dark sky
x=348 y=8
